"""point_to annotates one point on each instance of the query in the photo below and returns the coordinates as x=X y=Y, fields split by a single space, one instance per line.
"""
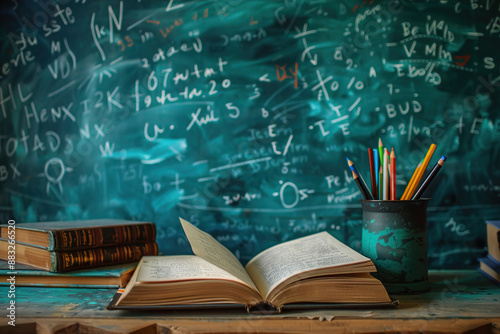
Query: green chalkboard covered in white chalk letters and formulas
x=238 y=115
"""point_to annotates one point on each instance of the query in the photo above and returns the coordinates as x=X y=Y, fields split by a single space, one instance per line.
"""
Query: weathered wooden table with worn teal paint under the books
x=459 y=302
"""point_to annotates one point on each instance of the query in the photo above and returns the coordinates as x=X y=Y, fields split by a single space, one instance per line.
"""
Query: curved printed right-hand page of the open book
x=278 y=263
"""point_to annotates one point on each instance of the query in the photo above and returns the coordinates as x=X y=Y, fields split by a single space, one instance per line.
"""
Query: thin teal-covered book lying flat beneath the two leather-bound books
x=102 y=277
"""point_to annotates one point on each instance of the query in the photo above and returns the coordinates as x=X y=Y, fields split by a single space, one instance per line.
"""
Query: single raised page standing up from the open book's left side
x=206 y=247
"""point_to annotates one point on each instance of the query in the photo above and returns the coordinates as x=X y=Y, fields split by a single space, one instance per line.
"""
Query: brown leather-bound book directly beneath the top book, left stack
x=59 y=261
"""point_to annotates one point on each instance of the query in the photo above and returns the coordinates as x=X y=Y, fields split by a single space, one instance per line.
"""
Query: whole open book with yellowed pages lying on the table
x=313 y=269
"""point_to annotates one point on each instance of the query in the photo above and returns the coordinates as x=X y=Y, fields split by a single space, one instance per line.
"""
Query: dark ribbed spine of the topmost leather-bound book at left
x=76 y=239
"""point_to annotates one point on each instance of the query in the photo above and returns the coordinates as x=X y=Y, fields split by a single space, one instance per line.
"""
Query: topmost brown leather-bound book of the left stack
x=80 y=234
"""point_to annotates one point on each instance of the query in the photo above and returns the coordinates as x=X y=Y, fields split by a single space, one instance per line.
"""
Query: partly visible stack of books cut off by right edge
x=490 y=265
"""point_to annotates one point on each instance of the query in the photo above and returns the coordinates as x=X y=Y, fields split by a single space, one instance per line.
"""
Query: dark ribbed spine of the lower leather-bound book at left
x=96 y=257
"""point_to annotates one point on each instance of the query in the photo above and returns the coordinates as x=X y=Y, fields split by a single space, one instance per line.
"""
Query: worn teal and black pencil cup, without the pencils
x=394 y=237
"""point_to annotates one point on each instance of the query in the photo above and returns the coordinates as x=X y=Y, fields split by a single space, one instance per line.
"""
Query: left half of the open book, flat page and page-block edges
x=184 y=279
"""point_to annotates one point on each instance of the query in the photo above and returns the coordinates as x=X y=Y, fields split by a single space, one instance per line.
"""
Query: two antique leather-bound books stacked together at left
x=75 y=245
